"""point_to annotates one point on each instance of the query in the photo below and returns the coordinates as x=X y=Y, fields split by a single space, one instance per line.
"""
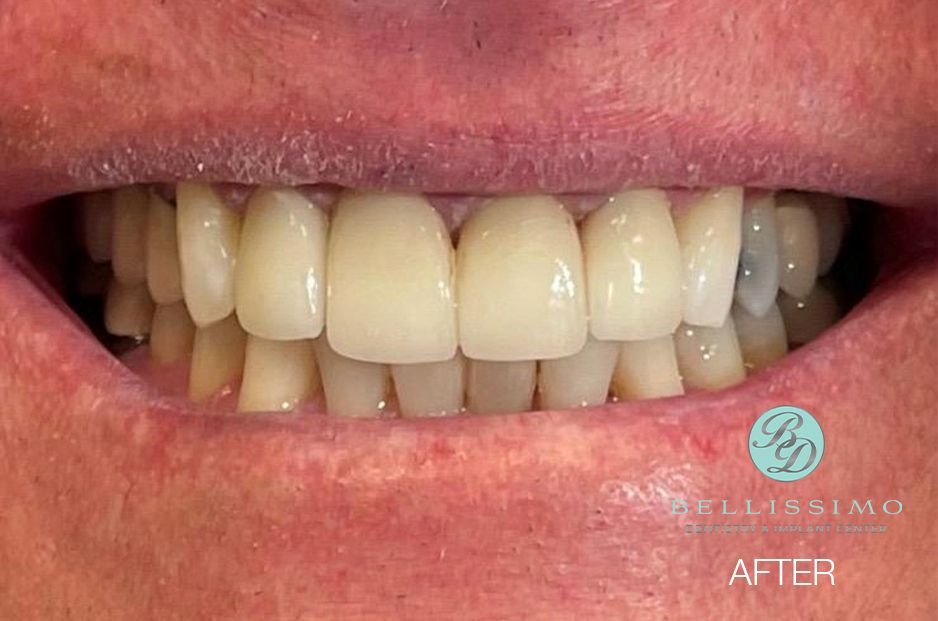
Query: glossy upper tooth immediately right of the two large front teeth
x=633 y=267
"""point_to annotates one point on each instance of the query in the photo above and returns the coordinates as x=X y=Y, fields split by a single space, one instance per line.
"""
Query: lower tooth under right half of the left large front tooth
x=431 y=388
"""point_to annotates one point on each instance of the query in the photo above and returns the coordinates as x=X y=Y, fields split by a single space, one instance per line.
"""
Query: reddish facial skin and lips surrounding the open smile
x=119 y=503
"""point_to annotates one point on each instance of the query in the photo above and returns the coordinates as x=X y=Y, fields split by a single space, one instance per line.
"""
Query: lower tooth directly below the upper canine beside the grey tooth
x=709 y=358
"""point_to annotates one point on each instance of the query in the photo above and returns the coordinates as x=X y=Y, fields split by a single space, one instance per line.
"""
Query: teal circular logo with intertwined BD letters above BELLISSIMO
x=786 y=443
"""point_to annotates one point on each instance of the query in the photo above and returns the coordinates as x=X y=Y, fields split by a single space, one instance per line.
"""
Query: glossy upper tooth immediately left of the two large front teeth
x=280 y=278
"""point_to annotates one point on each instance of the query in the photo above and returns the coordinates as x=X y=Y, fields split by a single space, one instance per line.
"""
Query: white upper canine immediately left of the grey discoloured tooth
x=710 y=236
